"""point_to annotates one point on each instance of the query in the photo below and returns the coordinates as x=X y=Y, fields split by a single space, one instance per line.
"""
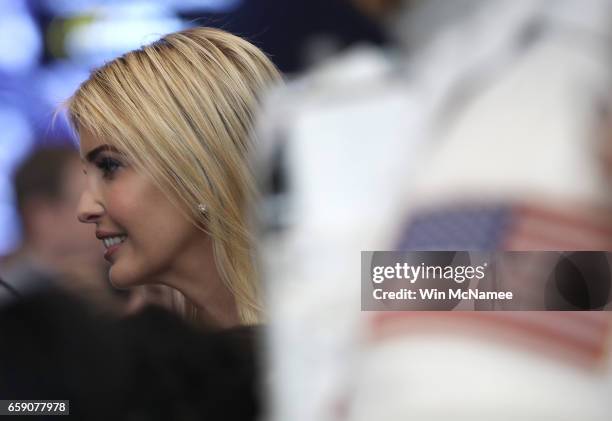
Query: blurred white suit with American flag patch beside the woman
x=500 y=110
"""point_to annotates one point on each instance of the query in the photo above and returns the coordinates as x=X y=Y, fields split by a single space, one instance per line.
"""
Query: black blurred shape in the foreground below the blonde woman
x=150 y=366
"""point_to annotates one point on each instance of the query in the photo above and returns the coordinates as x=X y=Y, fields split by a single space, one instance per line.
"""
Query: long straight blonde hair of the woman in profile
x=182 y=109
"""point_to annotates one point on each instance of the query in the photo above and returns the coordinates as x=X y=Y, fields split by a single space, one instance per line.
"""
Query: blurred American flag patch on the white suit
x=583 y=336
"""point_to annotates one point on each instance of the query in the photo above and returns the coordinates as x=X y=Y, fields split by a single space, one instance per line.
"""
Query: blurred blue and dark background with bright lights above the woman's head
x=48 y=47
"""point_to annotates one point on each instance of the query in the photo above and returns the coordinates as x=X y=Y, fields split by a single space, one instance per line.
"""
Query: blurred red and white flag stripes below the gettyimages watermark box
x=581 y=337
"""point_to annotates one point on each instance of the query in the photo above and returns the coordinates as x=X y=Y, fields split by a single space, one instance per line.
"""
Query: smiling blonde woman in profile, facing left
x=165 y=139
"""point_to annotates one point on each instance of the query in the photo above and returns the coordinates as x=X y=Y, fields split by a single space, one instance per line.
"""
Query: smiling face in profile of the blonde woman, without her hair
x=143 y=233
